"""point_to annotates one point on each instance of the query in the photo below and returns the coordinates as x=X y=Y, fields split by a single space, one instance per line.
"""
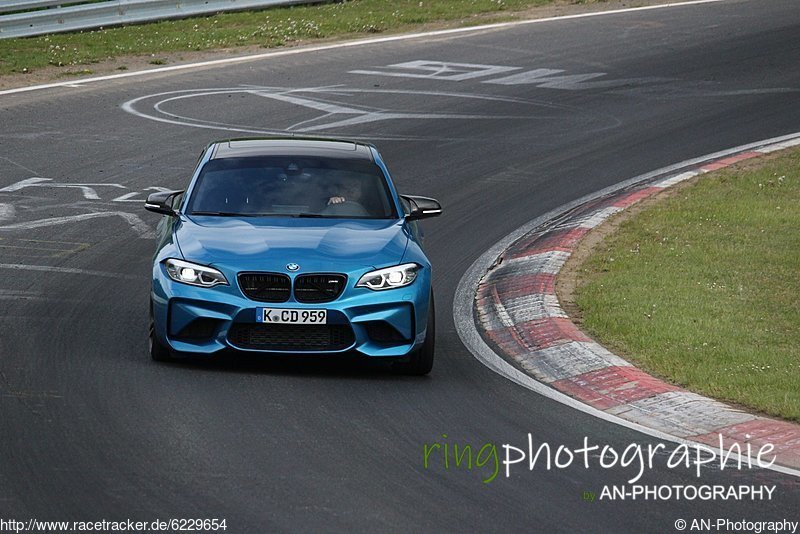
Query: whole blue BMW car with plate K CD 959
x=291 y=245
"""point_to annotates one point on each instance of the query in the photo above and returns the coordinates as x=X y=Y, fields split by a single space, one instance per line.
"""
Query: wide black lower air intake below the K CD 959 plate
x=291 y=337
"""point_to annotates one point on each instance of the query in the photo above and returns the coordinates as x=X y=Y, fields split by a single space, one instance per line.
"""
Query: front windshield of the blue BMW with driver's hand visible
x=292 y=187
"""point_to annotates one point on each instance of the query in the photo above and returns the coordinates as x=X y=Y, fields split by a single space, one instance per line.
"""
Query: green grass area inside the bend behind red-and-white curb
x=703 y=288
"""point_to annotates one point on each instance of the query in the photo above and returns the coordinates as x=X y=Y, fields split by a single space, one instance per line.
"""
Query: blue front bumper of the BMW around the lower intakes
x=205 y=321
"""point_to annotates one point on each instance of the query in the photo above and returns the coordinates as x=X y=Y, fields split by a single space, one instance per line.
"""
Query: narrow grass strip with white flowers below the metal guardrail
x=267 y=28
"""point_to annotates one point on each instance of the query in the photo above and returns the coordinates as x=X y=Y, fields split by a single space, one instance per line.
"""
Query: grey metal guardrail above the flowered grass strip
x=73 y=15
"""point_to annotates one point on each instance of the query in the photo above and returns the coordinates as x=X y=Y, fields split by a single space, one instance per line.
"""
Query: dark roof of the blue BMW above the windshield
x=290 y=146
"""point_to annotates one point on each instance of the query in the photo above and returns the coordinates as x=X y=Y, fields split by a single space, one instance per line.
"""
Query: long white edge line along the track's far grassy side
x=347 y=44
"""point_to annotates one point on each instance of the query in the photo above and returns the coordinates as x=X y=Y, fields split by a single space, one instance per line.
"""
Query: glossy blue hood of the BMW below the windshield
x=271 y=243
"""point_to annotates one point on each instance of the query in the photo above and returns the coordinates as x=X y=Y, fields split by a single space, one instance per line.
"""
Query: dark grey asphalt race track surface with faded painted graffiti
x=501 y=126
